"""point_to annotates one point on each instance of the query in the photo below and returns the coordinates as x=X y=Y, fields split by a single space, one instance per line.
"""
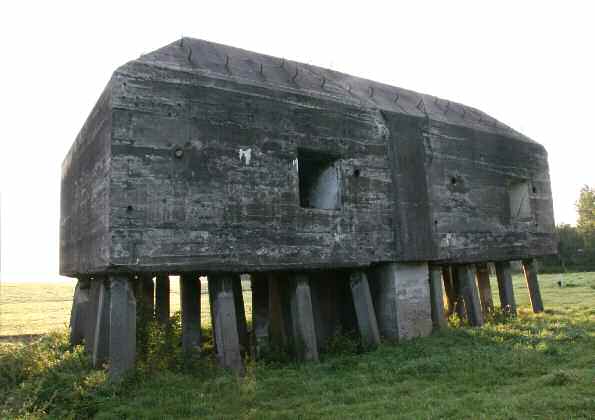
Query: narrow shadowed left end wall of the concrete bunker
x=84 y=198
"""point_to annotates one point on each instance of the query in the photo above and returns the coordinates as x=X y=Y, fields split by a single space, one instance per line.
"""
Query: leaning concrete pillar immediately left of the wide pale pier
x=364 y=309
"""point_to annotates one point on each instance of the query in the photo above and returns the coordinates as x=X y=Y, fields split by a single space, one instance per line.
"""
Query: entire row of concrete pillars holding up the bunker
x=295 y=311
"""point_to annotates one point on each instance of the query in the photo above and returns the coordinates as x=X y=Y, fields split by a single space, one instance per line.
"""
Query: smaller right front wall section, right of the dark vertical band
x=471 y=177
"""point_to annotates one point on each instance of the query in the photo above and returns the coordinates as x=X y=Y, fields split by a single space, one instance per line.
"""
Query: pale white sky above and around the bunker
x=529 y=64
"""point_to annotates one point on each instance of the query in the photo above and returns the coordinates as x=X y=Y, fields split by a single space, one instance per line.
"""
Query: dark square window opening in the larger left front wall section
x=319 y=180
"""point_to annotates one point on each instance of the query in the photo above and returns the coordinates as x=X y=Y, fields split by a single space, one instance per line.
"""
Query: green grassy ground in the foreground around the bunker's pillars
x=534 y=366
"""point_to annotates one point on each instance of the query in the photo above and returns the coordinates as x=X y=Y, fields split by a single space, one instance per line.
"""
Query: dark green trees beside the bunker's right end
x=576 y=250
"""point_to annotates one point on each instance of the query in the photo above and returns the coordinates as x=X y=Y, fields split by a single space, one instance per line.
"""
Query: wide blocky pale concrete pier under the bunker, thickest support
x=401 y=296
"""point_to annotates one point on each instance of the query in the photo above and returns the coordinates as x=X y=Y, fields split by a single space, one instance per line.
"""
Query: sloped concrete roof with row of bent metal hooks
x=219 y=61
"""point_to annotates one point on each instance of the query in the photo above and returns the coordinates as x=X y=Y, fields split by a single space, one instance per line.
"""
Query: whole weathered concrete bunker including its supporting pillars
x=350 y=203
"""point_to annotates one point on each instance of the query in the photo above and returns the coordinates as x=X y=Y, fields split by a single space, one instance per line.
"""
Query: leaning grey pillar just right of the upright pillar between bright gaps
x=225 y=324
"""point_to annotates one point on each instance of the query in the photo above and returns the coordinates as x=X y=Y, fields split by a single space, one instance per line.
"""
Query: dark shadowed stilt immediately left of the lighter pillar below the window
x=279 y=321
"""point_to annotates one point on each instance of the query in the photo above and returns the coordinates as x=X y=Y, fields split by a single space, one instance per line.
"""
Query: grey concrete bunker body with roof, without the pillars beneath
x=184 y=161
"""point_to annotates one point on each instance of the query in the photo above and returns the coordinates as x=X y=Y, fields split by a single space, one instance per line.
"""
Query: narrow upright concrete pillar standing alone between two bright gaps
x=190 y=311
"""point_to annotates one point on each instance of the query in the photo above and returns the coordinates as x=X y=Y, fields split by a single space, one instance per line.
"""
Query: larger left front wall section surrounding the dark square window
x=205 y=177
